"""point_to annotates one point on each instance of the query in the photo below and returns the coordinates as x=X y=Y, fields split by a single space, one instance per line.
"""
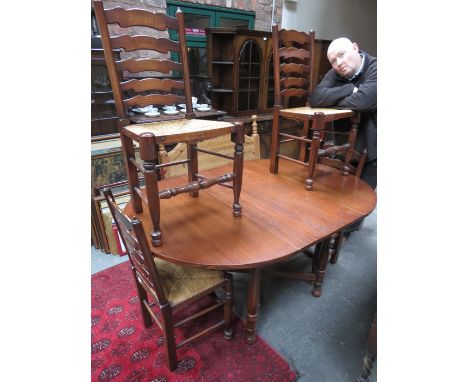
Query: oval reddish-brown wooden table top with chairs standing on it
x=279 y=217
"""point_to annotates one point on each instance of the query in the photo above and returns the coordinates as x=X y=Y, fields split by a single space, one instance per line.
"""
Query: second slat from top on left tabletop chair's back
x=132 y=43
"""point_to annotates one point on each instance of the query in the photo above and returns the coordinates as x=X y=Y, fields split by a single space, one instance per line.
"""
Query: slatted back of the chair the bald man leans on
x=293 y=58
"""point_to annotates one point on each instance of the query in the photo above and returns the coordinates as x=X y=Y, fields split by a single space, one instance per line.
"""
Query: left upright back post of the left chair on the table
x=108 y=54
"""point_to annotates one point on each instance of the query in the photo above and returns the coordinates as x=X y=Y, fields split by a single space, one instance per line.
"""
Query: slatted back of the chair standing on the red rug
x=137 y=247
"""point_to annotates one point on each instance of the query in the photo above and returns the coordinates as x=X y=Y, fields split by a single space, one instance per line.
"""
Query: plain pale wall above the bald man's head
x=356 y=19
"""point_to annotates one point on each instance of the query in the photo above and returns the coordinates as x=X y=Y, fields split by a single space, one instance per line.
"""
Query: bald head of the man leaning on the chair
x=344 y=57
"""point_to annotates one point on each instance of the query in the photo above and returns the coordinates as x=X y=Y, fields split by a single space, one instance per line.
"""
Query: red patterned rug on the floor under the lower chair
x=123 y=350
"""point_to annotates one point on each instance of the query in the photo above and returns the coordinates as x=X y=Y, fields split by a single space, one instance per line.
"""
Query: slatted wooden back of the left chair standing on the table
x=121 y=28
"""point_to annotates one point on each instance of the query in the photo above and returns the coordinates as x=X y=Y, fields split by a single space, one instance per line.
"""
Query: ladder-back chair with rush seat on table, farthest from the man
x=151 y=137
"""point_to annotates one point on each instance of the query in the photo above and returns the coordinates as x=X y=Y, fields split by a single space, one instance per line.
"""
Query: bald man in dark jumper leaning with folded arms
x=352 y=84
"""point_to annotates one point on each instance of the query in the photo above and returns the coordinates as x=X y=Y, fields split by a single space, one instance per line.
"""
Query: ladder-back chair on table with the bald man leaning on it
x=293 y=57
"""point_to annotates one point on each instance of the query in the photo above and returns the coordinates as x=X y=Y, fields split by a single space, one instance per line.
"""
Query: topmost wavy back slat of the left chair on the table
x=139 y=17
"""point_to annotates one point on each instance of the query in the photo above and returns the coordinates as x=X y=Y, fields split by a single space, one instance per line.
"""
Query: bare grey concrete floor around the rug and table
x=324 y=338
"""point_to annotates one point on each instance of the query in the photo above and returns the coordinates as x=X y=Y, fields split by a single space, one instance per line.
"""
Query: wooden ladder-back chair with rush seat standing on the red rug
x=169 y=285
